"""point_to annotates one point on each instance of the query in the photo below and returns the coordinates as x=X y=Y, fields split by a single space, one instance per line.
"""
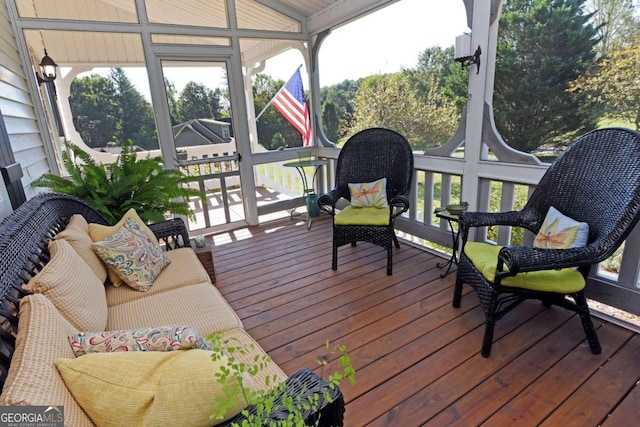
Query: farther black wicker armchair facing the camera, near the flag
x=367 y=156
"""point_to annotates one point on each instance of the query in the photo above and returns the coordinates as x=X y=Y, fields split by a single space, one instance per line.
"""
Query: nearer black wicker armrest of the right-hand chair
x=520 y=259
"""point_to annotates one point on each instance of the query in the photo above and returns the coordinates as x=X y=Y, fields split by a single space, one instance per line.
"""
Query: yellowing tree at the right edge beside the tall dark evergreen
x=615 y=86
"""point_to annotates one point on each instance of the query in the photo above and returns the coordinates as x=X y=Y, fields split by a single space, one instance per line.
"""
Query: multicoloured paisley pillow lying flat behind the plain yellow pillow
x=160 y=338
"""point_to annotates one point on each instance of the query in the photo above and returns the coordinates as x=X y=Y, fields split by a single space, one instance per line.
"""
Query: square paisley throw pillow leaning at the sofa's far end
x=133 y=255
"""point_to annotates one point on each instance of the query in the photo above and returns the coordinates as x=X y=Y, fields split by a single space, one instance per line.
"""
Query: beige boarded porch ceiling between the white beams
x=75 y=32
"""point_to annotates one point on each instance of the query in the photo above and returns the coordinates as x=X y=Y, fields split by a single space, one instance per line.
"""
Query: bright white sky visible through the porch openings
x=385 y=41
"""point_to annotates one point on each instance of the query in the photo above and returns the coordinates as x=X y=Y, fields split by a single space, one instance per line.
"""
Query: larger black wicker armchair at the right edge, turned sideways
x=597 y=181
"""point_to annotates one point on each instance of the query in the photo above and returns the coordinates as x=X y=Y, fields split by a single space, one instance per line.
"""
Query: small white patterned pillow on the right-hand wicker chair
x=558 y=231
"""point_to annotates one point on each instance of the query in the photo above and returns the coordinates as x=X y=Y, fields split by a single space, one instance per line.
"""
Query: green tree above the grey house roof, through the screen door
x=197 y=101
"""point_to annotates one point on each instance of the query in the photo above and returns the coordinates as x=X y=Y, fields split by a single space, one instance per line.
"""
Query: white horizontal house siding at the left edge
x=17 y=108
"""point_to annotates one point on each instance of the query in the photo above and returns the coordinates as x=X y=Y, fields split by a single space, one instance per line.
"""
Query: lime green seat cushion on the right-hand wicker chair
x=485 y=258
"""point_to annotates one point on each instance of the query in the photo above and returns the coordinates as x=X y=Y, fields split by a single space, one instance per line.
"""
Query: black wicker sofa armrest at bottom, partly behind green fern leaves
x=305 y=384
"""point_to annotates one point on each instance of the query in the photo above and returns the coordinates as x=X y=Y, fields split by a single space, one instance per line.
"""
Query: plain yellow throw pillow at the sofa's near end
x=149 y=388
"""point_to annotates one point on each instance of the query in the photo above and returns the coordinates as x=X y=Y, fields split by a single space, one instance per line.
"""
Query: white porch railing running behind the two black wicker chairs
x=438 y=182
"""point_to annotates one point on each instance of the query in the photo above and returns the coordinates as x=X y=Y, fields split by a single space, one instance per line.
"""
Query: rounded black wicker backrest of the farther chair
x=373 y=154
